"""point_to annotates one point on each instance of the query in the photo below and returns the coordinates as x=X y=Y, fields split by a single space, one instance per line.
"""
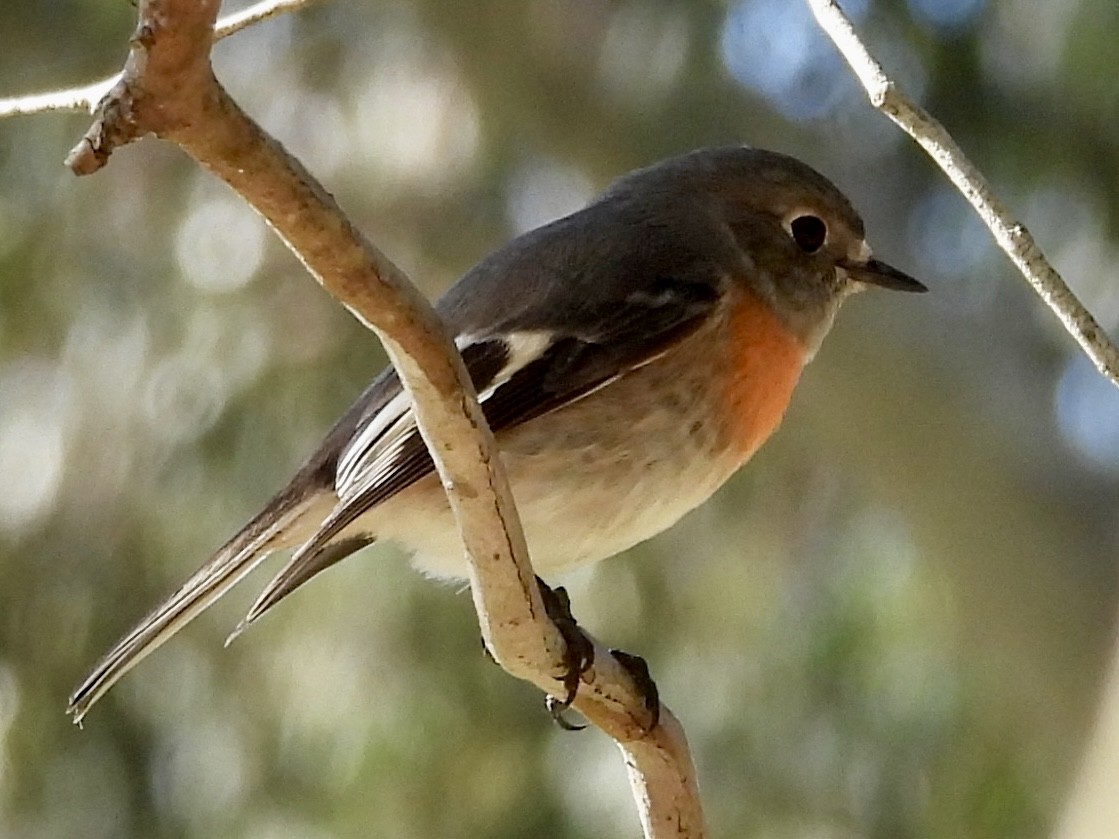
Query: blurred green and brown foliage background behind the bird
x=892 y=625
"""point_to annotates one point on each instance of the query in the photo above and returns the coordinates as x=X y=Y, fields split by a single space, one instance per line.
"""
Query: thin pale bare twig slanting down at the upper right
x=1011 y=234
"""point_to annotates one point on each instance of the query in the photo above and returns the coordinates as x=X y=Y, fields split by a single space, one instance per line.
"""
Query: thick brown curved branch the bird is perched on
x=168 y=89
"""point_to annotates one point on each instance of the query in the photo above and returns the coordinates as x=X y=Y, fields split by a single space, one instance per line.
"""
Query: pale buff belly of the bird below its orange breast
x=605 y=474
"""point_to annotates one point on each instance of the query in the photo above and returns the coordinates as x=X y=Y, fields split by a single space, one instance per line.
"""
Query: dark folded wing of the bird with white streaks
x=520 y=376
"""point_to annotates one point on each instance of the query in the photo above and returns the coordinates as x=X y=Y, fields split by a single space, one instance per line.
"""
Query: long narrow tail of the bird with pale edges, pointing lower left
x=286 y=522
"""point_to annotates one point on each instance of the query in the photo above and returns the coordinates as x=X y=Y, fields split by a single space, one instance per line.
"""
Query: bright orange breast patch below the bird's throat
x=765 y=364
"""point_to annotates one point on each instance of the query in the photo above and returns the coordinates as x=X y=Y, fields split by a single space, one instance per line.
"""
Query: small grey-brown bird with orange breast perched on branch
x=629 y=359
